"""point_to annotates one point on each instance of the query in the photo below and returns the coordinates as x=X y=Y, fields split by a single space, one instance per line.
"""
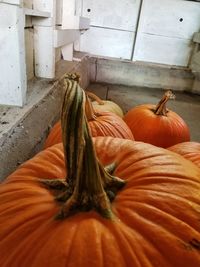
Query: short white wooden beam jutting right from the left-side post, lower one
x=64 y=37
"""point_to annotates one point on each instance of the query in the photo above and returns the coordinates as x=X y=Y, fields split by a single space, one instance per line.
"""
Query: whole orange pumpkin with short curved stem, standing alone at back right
x=156 y=124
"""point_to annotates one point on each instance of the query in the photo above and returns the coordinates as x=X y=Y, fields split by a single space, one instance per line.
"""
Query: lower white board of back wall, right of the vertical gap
x=163 y=50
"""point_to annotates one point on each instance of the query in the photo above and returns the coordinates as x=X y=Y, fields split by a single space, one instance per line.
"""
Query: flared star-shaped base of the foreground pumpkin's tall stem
x=74 y=201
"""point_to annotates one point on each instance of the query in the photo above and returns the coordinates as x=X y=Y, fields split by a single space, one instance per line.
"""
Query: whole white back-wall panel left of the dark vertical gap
x=113 y=25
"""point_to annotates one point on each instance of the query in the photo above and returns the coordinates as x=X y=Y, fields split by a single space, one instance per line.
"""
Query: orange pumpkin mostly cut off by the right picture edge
x=189 y=150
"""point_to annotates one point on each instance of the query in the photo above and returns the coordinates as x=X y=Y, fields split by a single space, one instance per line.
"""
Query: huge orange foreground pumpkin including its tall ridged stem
x=152 y=222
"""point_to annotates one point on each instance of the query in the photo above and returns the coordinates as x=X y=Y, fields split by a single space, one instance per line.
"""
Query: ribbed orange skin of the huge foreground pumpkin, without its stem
x=158 y=213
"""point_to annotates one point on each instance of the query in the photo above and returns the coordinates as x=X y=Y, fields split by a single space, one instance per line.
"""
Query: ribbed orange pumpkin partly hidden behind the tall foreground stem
x=108 y=124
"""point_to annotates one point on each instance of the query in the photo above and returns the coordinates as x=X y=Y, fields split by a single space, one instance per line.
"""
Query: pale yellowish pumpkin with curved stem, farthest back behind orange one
x=100 y=105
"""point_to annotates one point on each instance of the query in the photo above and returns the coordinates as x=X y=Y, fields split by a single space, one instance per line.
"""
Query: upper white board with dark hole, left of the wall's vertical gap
x=112 y=14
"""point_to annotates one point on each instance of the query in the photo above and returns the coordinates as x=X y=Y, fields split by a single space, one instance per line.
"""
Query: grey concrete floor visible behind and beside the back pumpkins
x=186 y=105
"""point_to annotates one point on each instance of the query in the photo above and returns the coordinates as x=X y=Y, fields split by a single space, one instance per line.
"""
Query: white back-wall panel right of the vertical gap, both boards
x=165 y=31
